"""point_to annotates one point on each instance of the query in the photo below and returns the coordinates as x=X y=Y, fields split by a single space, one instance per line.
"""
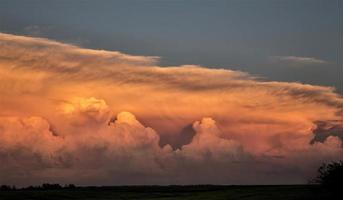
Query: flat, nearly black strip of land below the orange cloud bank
x=175 y=192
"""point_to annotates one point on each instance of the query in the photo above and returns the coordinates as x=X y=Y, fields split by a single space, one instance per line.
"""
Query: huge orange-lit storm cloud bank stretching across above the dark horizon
x=61 y=120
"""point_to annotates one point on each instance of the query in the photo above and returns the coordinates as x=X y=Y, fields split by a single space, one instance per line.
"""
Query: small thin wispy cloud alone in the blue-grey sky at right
x=297 y=60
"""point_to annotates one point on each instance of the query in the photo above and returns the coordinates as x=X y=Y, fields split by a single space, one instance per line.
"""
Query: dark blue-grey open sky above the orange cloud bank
x=256 y=36
